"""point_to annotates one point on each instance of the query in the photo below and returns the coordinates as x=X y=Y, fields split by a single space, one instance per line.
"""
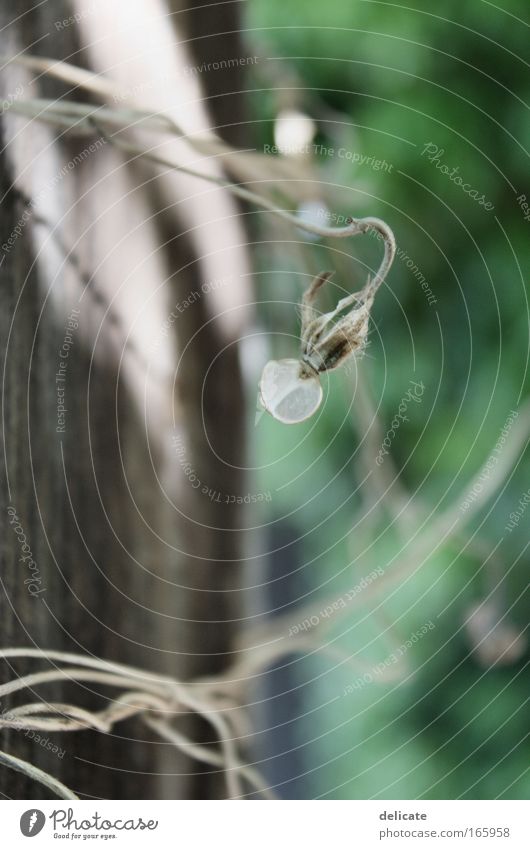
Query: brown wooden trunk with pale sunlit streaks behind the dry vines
x=134 y=560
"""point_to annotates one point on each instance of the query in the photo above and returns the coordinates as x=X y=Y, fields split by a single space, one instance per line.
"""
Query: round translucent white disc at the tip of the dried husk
x=290 y=391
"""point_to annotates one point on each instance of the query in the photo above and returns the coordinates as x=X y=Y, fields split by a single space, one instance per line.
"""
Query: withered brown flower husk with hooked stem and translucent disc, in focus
x=290 y=390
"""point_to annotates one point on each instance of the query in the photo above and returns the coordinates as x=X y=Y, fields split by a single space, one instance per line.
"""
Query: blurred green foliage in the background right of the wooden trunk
x=384 y=81
